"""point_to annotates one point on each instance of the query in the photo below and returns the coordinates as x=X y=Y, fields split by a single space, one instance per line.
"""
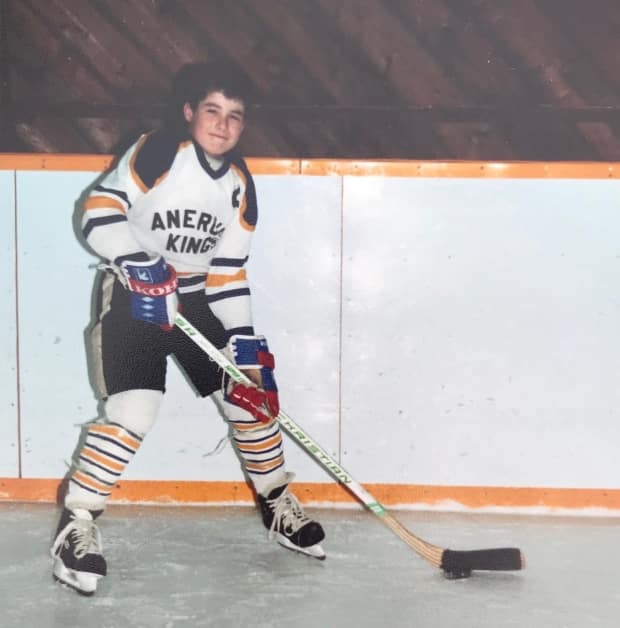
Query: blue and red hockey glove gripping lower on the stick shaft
x=252 y=352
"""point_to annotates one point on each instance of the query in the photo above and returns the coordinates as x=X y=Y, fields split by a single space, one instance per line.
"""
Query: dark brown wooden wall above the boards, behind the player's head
x=366 y=79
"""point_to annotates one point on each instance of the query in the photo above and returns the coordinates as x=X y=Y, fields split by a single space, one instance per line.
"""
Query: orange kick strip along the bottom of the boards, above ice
x=170 y=492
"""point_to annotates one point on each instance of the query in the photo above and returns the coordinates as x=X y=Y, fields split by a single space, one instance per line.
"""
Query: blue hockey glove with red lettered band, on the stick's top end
x=152 y=285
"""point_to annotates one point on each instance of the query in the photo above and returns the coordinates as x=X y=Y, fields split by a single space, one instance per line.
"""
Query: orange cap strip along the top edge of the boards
x=349 y=167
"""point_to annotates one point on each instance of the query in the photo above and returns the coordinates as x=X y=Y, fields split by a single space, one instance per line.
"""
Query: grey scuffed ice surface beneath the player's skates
x=213 y=566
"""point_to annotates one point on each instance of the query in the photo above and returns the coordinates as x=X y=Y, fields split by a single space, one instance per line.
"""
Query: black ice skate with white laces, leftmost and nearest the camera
x=78 y=562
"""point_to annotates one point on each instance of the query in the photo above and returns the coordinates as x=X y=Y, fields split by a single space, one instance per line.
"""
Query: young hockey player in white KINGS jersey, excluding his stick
x=174 y=222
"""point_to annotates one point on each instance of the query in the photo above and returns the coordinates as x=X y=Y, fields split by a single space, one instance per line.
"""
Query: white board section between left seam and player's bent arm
x=55 y=288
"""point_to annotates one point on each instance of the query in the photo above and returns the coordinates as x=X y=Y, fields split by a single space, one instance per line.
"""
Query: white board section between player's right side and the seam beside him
x=295 y=273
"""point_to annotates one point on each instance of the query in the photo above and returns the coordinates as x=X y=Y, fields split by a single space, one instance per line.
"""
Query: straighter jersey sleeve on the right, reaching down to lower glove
x=227 y=287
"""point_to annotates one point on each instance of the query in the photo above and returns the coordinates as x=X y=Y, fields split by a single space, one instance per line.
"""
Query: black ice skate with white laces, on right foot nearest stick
x=286 y=521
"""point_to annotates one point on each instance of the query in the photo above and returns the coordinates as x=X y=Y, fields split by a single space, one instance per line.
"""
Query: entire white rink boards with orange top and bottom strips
x=448 y=332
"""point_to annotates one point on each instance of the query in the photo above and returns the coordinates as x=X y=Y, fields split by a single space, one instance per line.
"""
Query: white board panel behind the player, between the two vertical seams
x=298 y=219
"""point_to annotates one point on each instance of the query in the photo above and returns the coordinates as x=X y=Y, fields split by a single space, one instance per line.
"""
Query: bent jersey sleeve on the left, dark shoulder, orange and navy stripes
x=104 y=221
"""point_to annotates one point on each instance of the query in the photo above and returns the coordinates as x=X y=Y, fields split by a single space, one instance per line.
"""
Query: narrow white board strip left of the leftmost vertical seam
x=9 y=446
